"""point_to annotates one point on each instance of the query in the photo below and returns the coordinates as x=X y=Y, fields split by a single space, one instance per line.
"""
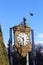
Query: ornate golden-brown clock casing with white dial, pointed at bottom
x=22 y=39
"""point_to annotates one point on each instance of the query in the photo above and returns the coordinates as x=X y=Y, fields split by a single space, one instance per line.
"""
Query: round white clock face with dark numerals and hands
x=23 y=39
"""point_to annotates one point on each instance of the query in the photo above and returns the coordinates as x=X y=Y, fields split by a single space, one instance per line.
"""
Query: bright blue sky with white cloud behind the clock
x=13 y=11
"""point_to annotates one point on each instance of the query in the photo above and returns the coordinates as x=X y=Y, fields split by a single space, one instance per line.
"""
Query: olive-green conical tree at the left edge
x=4 y=60
